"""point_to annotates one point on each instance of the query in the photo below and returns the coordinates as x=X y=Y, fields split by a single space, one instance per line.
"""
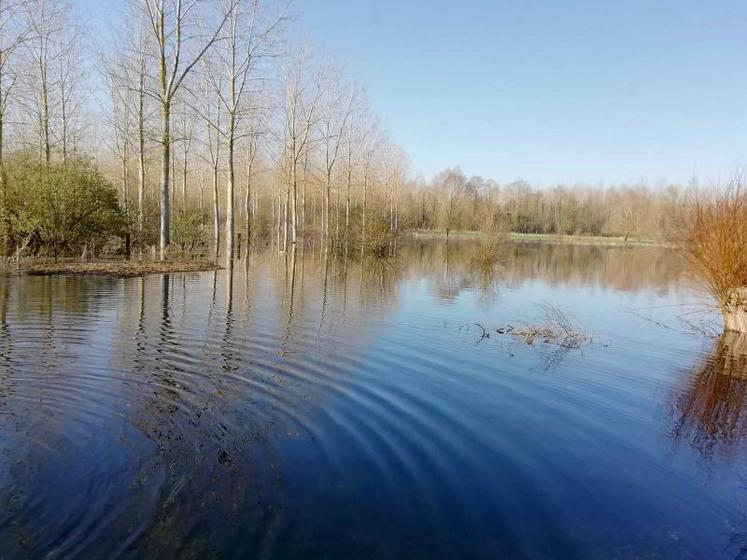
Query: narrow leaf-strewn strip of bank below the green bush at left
x=121 y=269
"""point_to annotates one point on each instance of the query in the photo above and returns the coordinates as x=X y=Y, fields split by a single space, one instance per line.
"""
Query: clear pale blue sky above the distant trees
x=549 y=91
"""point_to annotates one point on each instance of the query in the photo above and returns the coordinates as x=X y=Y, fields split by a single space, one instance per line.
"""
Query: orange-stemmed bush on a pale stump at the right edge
x=715 y=242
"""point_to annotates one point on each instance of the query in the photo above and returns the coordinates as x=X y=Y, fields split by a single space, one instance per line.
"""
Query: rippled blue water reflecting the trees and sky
x=298 y=408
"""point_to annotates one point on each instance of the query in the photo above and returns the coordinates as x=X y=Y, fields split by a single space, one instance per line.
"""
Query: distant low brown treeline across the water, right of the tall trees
x=453 y=202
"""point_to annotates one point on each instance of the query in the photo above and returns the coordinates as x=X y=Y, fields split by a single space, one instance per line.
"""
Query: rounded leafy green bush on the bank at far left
x=61 y=207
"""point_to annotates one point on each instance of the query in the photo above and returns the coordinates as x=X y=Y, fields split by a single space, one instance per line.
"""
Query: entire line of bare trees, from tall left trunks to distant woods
x=199 y=123
